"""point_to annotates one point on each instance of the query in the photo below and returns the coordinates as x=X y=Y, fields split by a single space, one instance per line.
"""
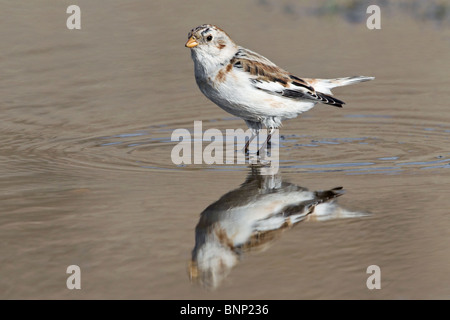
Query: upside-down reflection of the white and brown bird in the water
x=252 y=216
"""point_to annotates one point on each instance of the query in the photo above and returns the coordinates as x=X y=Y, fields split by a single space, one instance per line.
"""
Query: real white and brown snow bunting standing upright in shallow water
x=250 y=86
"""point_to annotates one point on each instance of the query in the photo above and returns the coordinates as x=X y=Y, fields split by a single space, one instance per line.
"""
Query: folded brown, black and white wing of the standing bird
x=265 y=75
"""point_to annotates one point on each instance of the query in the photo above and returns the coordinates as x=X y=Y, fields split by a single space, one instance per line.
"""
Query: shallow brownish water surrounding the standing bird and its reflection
x=86 y=176
